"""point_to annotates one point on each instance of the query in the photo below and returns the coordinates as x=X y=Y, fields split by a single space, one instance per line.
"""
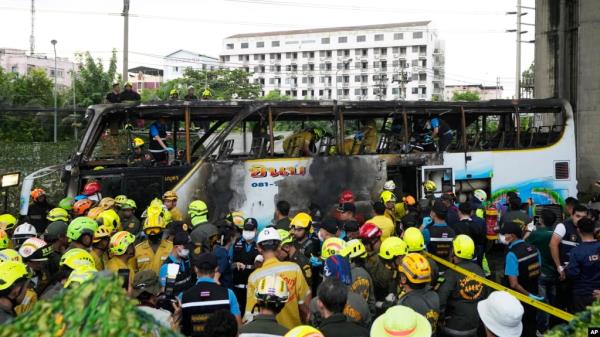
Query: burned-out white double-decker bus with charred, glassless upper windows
x=231 y=153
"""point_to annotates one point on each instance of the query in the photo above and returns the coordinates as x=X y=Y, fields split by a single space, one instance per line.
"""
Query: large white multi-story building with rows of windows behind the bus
x=388 y=61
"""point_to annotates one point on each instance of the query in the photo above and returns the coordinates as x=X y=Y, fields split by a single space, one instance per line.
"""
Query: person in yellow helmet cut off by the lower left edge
x=13 y=287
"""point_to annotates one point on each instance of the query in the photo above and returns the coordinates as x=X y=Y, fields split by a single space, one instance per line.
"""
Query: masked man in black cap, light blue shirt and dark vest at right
x=522 y=270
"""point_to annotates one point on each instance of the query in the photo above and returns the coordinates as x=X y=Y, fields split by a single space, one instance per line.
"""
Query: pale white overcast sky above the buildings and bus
x=478 y=50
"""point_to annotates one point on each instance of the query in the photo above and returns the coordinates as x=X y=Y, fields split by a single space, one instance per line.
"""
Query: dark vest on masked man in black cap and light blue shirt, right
x=529 y=265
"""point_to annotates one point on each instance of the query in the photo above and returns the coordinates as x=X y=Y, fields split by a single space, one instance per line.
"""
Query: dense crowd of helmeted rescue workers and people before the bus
x=316 y=273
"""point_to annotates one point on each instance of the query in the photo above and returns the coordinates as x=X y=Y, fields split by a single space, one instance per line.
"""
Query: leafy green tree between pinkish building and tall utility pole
x=92 y=82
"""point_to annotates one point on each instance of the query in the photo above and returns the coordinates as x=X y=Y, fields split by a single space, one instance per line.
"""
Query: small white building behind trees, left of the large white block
x=176 y=63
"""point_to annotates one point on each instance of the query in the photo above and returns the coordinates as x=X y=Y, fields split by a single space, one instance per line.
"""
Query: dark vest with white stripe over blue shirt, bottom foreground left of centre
x=198 y=303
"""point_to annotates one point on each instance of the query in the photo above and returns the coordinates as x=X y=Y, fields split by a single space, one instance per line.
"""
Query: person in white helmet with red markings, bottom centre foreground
x=271 y=295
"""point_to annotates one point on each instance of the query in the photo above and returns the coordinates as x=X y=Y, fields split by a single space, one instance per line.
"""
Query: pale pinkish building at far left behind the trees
x=18 y=61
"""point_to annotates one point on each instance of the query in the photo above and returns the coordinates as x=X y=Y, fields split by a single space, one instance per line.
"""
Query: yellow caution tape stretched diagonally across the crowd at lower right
x=521 y=297
